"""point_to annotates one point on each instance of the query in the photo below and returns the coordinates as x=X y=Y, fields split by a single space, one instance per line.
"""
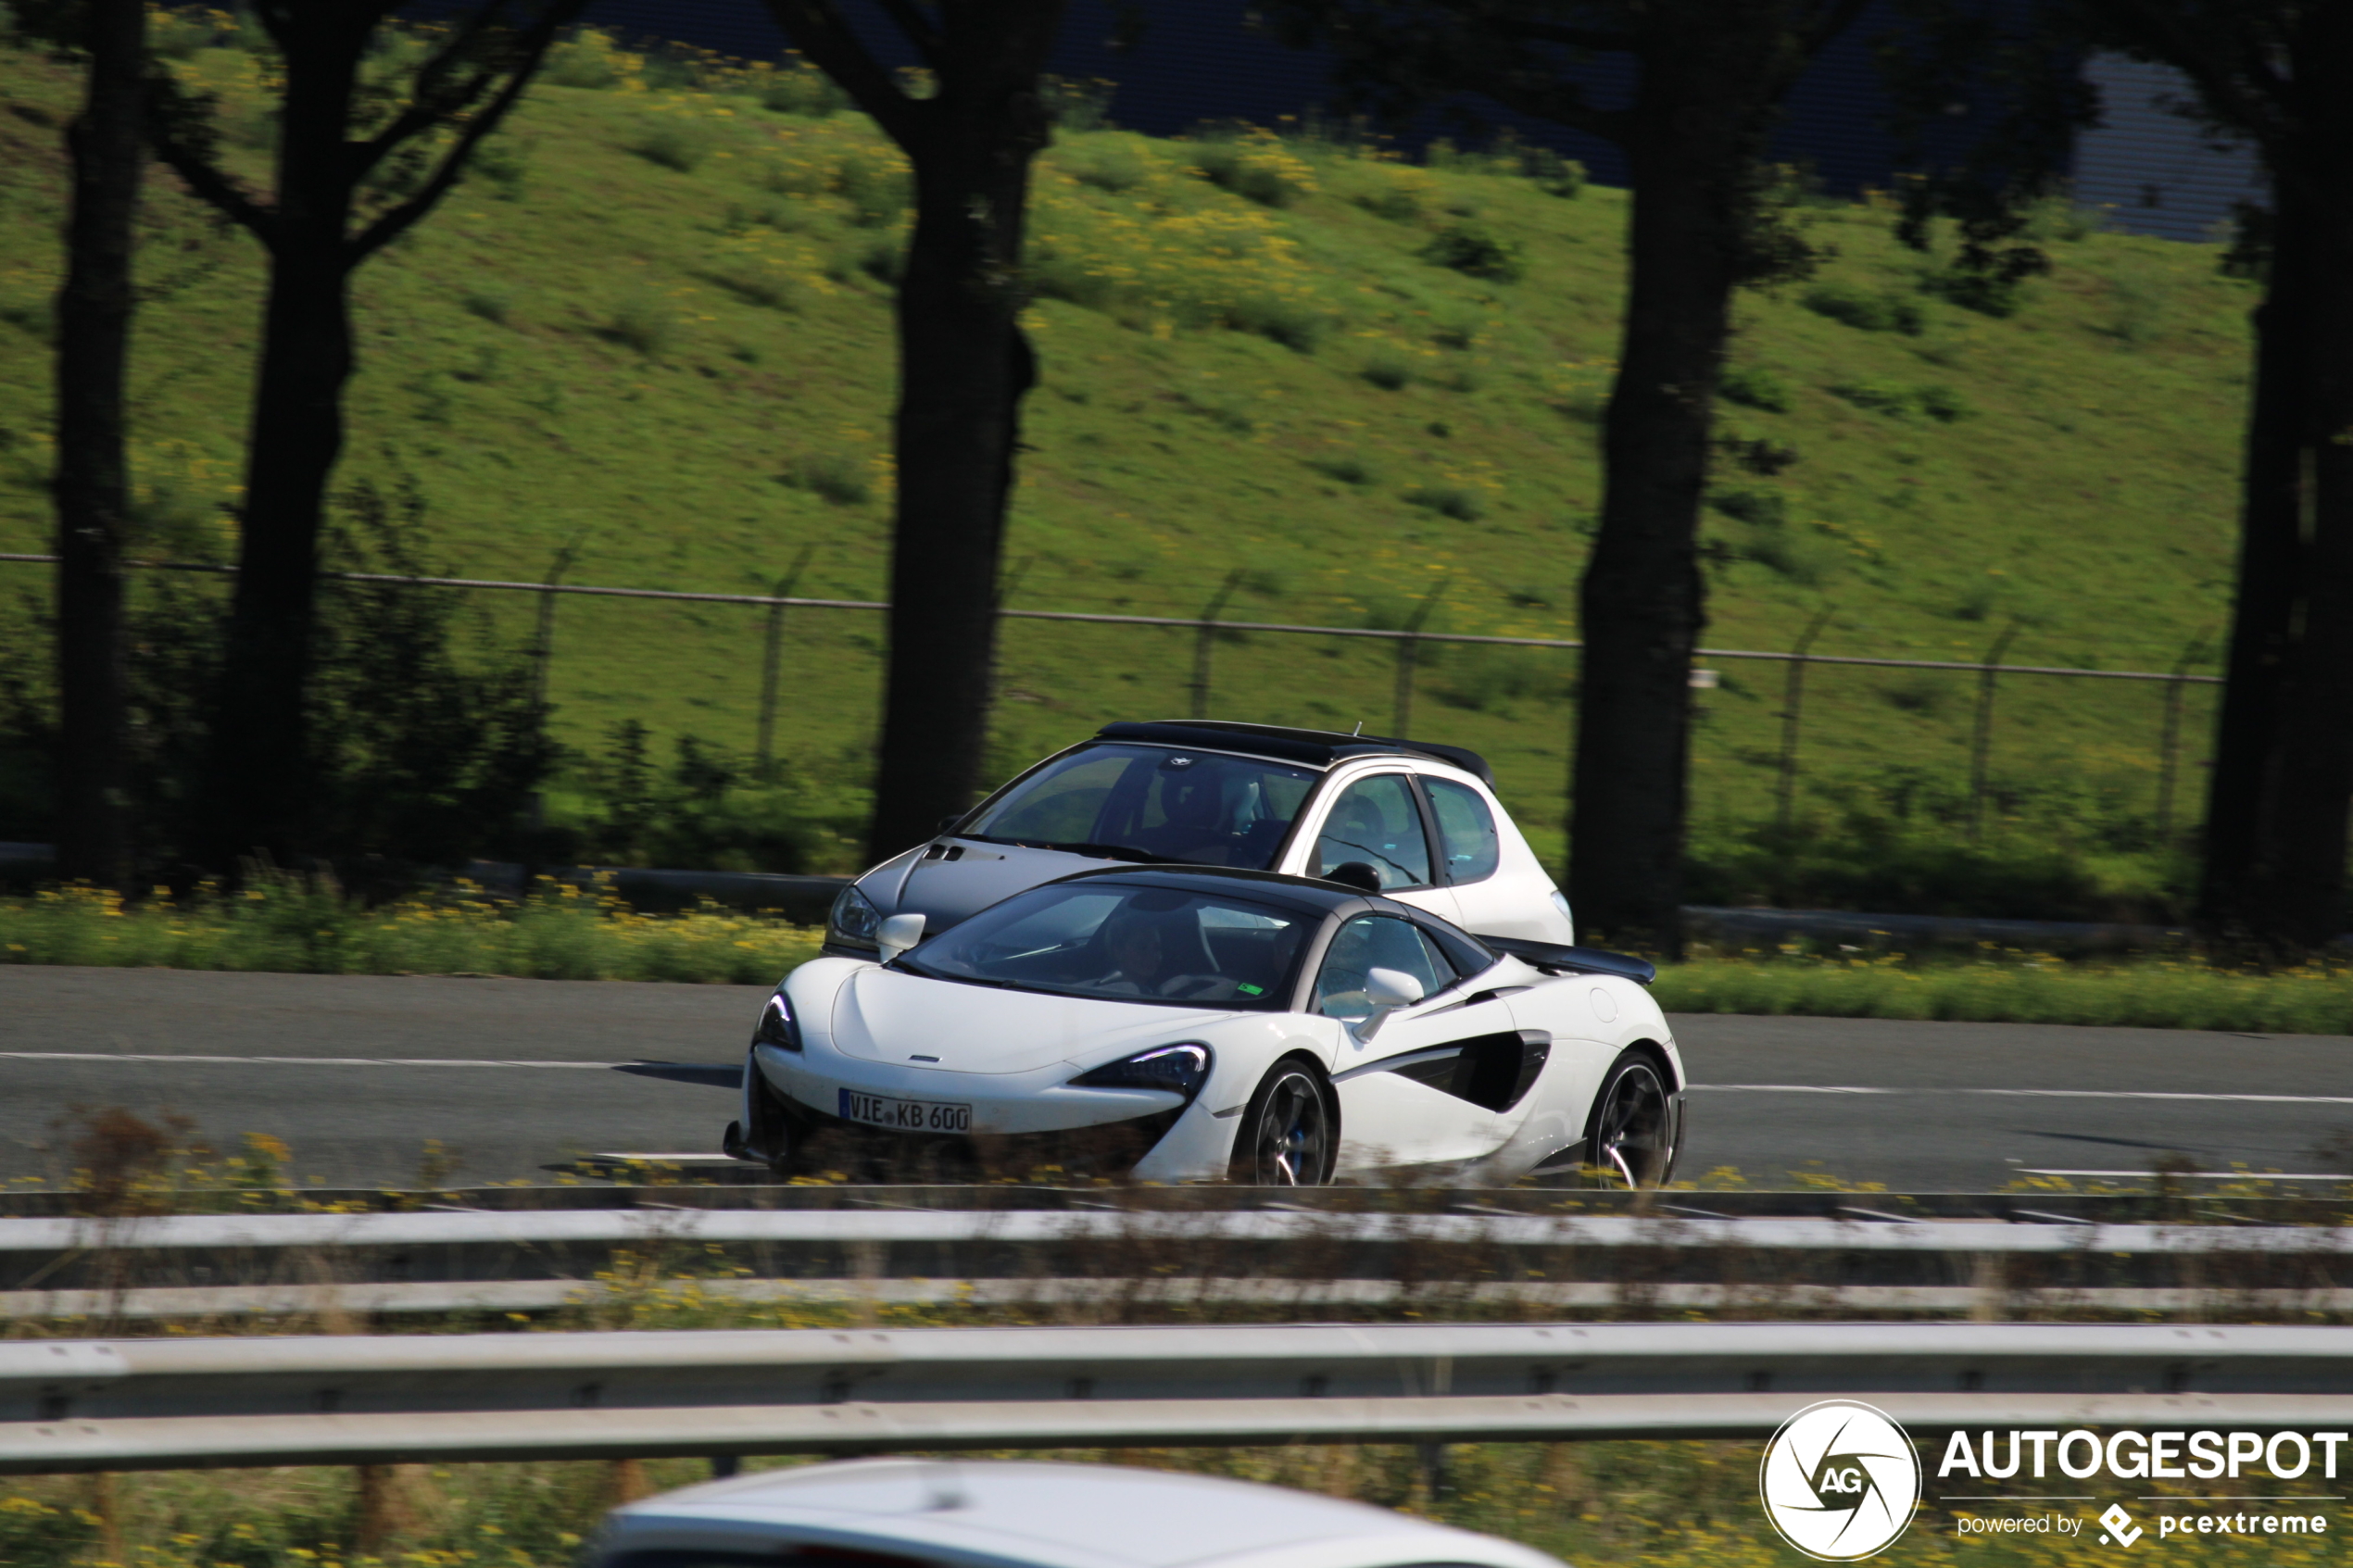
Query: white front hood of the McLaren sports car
x=893 y=1017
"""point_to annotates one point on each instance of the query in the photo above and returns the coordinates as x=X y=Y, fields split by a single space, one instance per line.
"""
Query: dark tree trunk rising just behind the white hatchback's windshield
x=964 y=368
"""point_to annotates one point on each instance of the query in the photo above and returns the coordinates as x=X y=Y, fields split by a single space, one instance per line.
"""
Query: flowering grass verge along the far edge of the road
x=571 y=934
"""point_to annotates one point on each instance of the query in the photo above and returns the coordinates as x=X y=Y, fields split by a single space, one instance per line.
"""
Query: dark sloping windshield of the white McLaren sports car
x=1126 y=944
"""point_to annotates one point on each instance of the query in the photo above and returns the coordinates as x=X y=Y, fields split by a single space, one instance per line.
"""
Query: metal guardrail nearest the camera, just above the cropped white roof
x=152 y=1405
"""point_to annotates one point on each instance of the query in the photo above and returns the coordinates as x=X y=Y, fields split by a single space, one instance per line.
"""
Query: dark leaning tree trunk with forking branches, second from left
x=260 y=777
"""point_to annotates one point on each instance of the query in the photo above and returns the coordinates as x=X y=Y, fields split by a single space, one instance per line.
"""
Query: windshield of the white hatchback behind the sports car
x=1149 y=803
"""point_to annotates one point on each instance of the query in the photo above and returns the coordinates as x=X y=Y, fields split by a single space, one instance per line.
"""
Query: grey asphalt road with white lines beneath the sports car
x=359 y=1073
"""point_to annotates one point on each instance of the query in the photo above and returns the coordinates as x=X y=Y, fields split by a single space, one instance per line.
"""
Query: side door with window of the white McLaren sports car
x=1439 y=1080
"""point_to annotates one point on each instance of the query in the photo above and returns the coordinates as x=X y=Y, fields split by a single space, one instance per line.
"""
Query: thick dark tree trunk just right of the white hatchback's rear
x=1641 y=596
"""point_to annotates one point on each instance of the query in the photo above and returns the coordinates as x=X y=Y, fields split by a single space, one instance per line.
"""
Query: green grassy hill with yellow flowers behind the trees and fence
x=658 y=326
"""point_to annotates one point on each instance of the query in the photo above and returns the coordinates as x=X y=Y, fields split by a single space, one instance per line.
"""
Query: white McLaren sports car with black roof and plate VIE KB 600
x=1189 y=1024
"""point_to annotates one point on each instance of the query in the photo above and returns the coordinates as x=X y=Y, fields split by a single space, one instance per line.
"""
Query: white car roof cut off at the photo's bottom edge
x=1018 y=1515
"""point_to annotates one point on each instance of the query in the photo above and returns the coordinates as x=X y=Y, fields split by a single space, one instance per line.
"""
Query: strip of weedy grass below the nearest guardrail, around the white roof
x=1686 y=1503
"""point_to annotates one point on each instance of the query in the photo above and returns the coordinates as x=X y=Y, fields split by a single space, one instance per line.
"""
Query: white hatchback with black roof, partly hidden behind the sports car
x=1404 y=819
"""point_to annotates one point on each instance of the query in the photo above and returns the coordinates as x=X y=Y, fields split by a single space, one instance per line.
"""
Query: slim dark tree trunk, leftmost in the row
x=93 y=481
